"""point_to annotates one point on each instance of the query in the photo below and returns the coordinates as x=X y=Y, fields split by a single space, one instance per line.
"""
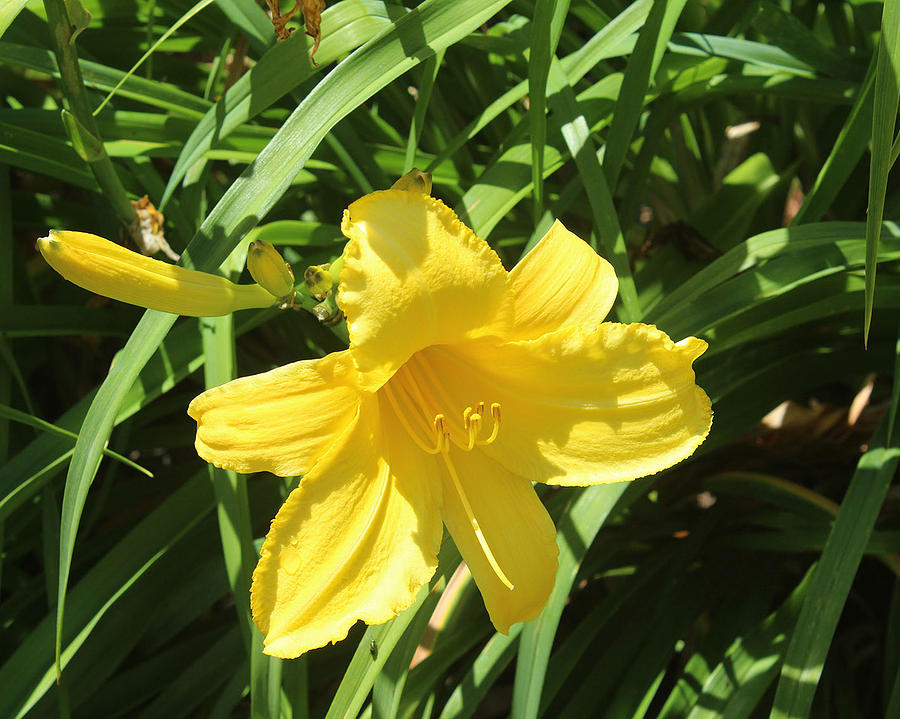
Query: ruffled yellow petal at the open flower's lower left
x=355 y=541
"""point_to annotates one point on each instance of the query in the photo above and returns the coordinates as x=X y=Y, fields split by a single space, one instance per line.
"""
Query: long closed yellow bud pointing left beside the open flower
x=109 y=269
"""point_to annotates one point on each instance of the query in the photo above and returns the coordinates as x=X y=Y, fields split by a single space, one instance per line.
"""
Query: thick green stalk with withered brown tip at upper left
x=78 y=119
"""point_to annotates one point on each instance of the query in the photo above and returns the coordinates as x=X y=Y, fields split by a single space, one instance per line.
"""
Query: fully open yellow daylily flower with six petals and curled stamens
x=463 y=384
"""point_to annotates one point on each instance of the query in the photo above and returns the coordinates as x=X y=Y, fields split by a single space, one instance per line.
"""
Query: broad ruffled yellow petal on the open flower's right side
x=578 y=408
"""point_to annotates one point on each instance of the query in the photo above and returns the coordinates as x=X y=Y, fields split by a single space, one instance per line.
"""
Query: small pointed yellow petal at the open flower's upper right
x=561 y=282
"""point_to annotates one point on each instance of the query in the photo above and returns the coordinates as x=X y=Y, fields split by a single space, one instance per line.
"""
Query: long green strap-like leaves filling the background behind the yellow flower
x=757 y=579
